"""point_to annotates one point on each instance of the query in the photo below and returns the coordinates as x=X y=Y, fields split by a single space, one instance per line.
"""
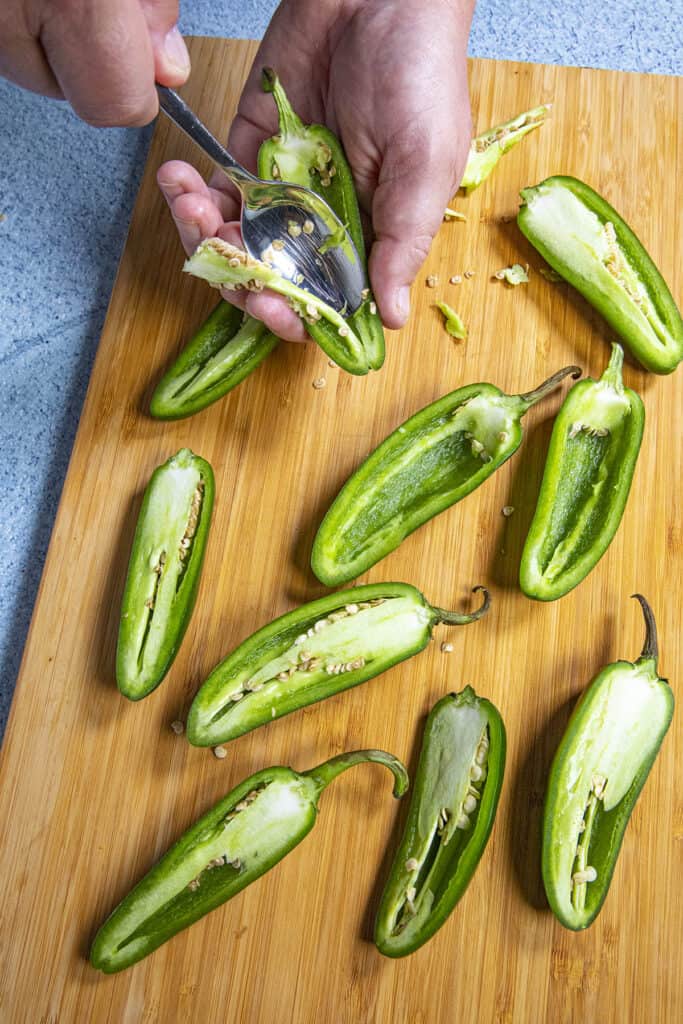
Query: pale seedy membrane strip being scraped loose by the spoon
x=224 y=266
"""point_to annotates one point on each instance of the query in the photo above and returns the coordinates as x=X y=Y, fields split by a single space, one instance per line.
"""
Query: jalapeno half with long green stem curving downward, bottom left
x=244 y=836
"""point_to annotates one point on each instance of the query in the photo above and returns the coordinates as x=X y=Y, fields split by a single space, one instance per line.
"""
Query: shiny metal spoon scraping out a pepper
x=317 y=253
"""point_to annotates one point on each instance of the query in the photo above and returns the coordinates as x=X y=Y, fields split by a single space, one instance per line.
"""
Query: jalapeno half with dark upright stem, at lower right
x=599 y=772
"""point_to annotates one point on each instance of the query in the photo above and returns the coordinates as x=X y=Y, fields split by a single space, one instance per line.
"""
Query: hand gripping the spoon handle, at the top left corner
x=102 y=56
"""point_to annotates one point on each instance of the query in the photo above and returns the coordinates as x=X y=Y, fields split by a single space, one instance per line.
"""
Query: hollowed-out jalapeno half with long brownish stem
x=430 y=463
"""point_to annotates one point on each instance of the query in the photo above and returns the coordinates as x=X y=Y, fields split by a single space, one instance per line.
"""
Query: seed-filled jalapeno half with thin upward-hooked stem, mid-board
x=311 y=654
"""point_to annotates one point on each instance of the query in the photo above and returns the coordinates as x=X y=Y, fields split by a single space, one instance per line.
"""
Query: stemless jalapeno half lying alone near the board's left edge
x=164 y=572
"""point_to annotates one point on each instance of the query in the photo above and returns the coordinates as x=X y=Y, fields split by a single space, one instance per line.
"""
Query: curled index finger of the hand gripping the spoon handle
x=102 y=58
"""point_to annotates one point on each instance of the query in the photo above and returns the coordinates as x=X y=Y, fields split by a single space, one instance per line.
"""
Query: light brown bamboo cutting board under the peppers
x=96 y=789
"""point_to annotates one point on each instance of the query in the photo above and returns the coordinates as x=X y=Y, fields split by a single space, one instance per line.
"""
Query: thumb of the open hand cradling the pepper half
x=419 y=175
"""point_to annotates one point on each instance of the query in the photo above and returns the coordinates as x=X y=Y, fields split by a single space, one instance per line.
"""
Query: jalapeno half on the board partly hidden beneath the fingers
x=228 y=348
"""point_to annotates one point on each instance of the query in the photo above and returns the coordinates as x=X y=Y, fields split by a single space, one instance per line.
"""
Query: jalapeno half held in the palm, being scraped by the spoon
x=306 y=155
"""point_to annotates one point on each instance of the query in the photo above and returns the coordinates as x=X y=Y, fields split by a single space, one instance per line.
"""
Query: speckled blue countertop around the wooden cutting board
x=61 y=246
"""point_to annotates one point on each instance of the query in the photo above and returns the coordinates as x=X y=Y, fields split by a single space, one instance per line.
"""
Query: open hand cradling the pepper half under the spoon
x=390 y=77
